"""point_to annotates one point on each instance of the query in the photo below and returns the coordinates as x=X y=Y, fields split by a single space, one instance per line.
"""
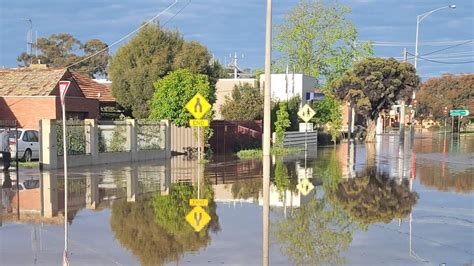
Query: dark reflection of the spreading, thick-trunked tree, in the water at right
x=374 y=198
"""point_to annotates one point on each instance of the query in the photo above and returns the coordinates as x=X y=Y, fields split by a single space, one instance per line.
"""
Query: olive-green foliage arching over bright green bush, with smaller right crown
x=148 y=57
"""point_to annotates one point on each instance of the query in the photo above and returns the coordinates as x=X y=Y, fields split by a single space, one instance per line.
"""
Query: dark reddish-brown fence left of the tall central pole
x=232 y=136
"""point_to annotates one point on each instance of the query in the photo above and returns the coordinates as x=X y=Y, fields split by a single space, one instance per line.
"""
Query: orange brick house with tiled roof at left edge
x=30 y=94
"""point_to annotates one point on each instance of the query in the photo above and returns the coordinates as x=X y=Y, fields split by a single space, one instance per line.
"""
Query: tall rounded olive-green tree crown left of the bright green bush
x=146 y=58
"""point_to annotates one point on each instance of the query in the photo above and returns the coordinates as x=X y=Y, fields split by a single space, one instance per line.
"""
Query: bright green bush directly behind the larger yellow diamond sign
x=174 y=91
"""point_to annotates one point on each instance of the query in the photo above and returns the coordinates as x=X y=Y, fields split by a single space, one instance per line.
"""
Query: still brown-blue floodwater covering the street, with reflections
x=384 y=203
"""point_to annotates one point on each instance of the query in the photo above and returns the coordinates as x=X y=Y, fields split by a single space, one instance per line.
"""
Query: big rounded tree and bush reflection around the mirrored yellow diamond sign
x=145 y=226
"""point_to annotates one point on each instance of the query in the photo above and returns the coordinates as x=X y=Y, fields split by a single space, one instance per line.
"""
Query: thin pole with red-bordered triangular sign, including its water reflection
x=63 y=87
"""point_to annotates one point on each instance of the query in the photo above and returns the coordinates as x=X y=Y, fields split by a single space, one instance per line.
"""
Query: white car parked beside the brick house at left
x=28 y=144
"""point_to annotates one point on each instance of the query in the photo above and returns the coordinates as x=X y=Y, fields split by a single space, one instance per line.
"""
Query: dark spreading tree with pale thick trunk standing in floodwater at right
x=375 y=84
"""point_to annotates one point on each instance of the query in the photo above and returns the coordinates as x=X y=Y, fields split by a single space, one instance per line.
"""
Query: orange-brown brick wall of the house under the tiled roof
x=28 y=111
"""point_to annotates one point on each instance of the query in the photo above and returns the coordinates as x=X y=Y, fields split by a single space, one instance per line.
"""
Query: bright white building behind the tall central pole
x=286 y=86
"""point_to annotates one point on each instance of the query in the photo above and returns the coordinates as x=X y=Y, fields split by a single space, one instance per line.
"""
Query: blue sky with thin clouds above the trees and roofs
x=228 y=26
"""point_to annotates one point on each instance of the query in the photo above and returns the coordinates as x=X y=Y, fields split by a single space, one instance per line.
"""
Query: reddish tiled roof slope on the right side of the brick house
x=92 y=89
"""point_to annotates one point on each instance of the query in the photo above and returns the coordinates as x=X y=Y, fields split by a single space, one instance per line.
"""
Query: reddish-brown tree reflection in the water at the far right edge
x=452 y=180
